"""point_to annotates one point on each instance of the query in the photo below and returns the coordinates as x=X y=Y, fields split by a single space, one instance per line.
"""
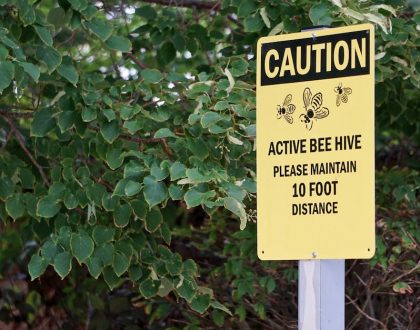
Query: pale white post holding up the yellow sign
x=321 y=294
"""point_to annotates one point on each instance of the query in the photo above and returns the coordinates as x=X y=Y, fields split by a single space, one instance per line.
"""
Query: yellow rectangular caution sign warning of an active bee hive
x=315 y=144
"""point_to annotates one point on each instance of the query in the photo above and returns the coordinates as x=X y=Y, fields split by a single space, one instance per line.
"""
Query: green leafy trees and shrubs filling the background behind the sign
x=127 y=166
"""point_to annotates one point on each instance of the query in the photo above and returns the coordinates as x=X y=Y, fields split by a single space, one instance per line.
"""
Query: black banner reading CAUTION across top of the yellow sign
x=322 y=57
